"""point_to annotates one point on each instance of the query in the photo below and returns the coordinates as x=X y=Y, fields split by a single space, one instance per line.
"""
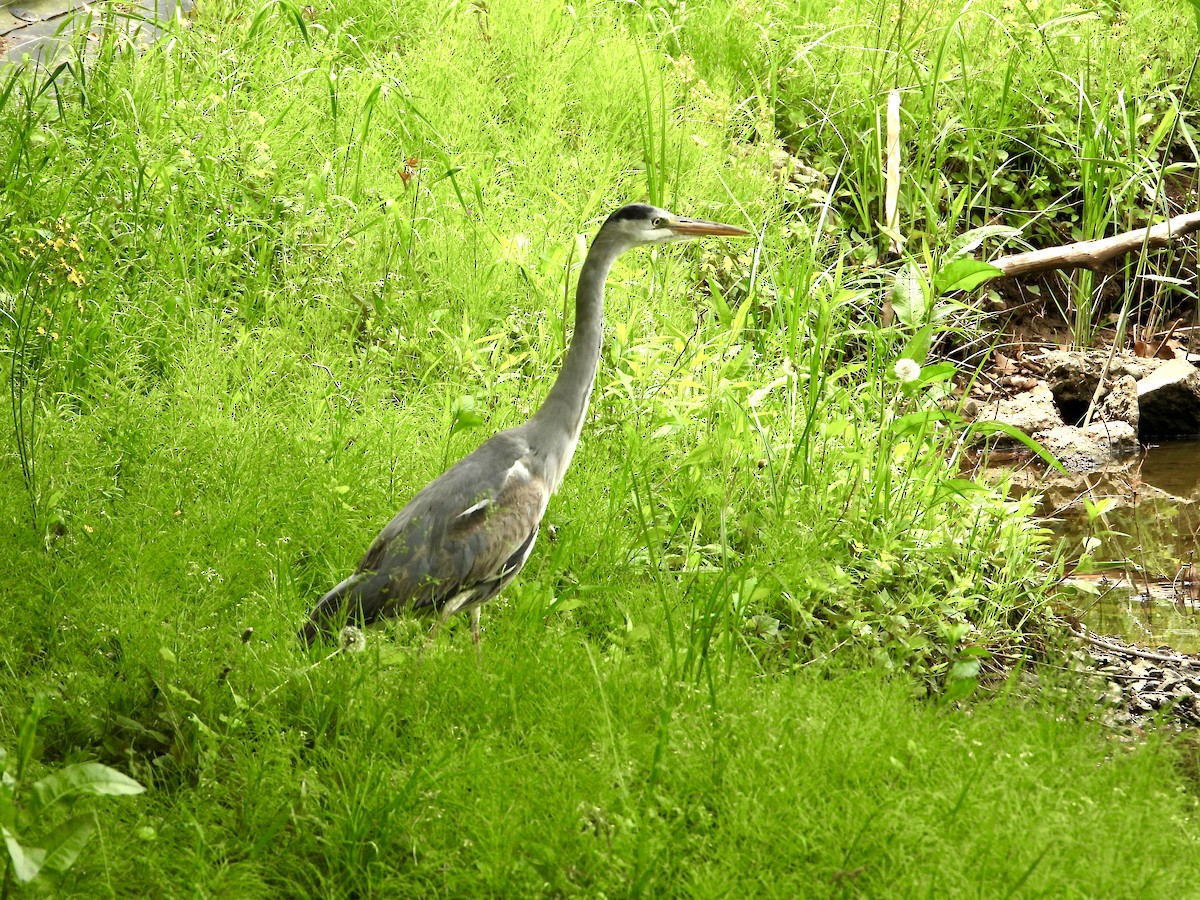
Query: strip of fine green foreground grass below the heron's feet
x=565 y=765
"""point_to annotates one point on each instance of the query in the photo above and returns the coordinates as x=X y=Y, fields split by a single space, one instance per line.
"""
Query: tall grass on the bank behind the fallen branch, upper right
x=1065 y=122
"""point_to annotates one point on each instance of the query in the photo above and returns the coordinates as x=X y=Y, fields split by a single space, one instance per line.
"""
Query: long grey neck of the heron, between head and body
x=560 y=421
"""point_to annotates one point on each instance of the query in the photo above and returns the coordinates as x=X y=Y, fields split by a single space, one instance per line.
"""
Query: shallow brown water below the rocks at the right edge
x=1138 y=563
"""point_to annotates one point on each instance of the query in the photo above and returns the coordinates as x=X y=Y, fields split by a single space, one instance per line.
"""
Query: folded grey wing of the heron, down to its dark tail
x=454 y=547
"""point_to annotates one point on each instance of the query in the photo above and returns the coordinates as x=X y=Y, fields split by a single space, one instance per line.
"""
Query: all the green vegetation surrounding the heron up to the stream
x=263 y=279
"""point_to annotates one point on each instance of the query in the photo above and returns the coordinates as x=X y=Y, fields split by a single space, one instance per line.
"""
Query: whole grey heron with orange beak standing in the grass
x=467 y=533
